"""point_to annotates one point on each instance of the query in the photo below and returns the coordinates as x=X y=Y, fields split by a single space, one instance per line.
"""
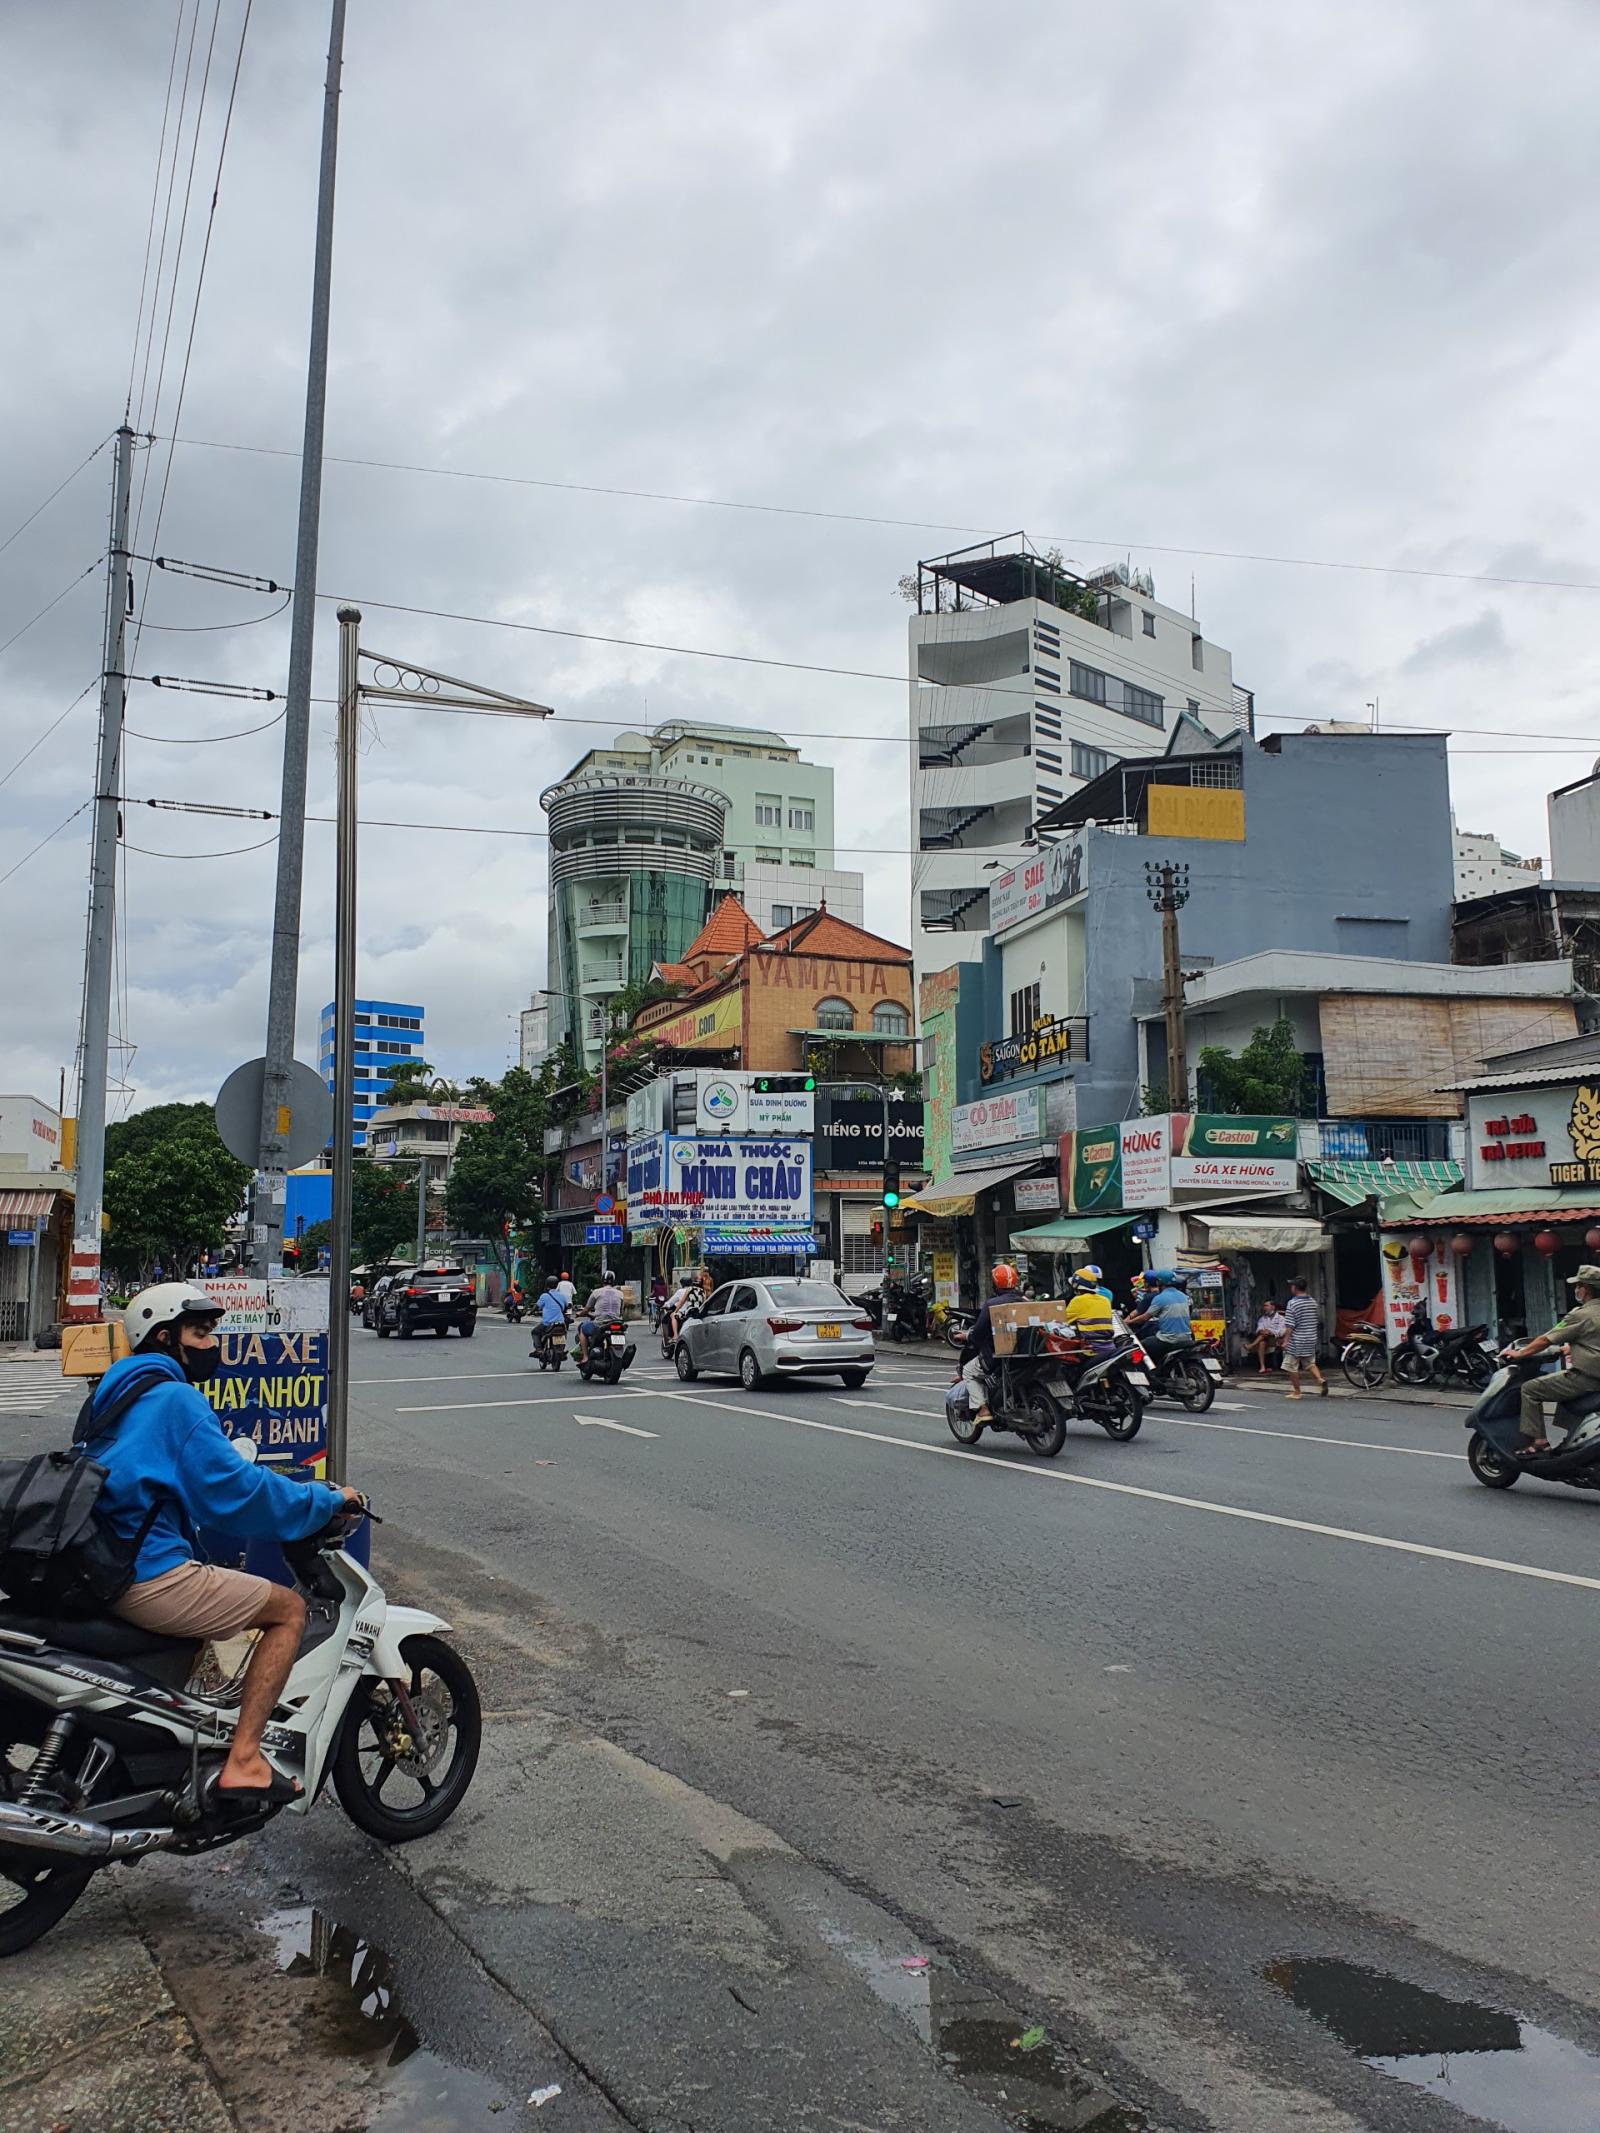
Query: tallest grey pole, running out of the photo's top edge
x=283 y=989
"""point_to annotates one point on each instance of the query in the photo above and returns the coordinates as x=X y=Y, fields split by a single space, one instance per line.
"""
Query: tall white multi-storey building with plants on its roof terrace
x=1029 y=679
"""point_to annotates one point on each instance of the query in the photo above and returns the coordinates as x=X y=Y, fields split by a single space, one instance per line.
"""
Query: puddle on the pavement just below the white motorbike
x=359 y=2023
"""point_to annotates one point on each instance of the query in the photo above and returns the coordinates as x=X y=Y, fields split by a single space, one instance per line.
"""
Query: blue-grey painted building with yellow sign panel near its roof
x=1322 y=844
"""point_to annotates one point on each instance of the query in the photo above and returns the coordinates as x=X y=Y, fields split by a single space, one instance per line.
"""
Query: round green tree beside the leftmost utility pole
x=170 y=1189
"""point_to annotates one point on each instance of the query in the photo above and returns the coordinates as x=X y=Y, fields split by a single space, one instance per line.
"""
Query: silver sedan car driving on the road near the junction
x=778 y=1330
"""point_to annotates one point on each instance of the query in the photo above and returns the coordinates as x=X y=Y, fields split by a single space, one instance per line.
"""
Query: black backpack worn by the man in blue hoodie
x=57 y=1552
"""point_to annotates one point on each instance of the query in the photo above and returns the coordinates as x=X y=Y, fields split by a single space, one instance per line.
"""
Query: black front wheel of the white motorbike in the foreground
x=391 y=1784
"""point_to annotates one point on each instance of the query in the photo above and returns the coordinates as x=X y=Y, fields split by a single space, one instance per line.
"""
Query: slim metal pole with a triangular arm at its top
x=406 y=686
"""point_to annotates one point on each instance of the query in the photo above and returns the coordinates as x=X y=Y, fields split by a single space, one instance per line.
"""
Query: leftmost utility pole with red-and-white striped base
x=84 y=1277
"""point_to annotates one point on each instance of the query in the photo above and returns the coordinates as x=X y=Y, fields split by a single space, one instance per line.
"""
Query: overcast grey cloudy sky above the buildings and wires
x=1300 y=283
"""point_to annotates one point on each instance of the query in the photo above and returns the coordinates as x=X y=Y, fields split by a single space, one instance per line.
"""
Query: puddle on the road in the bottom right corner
x=1482 y=2059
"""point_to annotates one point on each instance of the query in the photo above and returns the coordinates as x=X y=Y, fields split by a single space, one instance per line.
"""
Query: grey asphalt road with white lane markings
x=1249 y=1761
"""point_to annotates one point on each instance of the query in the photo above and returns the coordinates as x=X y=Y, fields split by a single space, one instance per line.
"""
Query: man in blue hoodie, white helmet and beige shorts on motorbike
x=170 y=1473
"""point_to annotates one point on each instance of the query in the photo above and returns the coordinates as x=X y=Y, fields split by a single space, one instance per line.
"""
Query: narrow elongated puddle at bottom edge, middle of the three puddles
x=976 y=2038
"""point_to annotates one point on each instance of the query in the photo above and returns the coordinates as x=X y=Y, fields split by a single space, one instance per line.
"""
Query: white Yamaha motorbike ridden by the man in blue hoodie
x=110 y=1744
